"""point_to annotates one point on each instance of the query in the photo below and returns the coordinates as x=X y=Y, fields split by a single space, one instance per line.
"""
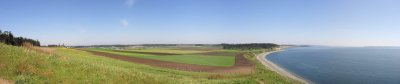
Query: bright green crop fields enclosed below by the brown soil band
x=197 y=57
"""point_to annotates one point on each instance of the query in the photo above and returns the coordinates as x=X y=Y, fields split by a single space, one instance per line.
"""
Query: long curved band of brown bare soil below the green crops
x=242 y=65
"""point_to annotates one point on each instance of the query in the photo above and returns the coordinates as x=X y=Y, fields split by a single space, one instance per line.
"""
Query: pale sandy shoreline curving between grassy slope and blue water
x=276 y=68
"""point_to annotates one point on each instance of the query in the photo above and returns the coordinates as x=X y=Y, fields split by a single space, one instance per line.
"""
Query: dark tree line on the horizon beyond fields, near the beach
x=250 y=46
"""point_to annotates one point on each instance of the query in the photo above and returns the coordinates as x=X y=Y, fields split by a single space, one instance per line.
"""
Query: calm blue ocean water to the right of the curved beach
x=342 y=65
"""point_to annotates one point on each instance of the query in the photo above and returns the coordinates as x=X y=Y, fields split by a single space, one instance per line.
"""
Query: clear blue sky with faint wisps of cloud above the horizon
x=308 y=22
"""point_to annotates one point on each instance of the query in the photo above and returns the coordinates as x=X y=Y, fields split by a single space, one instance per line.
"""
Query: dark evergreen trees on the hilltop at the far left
x=7 y=37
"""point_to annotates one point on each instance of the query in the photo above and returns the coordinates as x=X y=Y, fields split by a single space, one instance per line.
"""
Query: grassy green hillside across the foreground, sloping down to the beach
x=70 y=66
